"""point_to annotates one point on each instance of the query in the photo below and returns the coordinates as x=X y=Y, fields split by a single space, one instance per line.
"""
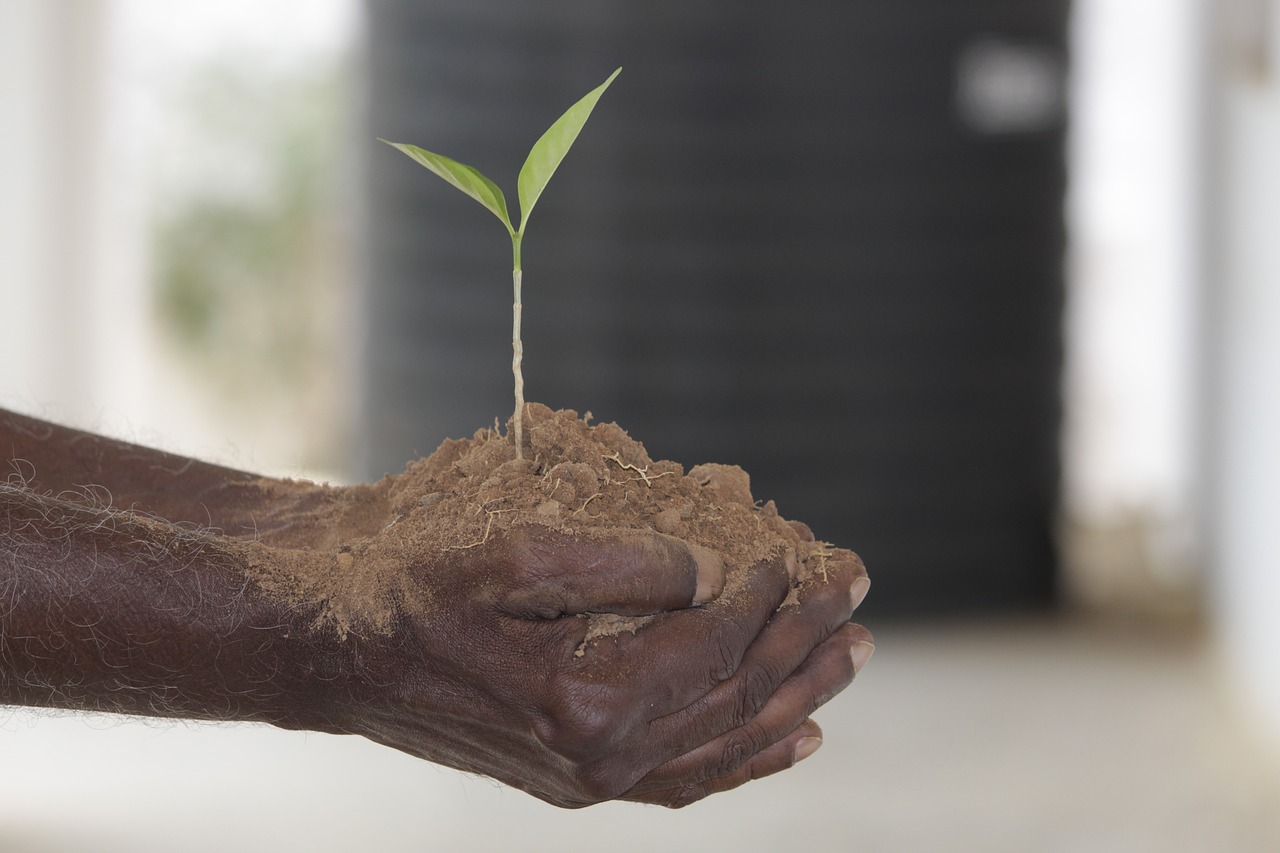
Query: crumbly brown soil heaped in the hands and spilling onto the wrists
x=345 y=549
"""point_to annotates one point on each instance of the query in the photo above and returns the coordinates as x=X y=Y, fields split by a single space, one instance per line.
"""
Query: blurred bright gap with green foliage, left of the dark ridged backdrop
x=250 y=244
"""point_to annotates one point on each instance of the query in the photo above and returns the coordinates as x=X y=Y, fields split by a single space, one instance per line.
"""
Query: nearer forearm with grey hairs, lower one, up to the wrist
x=111 y=612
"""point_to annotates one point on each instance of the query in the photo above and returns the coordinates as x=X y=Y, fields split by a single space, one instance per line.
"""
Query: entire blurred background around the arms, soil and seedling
x=988 y=291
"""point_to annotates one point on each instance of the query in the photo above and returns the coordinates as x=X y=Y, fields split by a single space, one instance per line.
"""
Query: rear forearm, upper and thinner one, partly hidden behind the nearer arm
x=53 y=459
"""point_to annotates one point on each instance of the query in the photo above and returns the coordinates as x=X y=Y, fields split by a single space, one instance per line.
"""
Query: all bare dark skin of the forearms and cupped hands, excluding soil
x=135 y=610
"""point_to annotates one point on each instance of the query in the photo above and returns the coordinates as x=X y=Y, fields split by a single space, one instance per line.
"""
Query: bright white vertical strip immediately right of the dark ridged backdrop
x=1135 y=252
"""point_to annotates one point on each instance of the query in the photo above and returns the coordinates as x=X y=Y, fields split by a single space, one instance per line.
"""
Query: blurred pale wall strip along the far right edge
x=1242 y=299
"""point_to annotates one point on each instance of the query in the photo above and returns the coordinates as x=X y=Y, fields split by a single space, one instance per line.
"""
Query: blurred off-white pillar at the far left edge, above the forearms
x=51 y=54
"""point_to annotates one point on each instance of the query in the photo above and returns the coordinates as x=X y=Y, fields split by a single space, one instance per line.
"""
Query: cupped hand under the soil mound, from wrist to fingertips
x=490 y=673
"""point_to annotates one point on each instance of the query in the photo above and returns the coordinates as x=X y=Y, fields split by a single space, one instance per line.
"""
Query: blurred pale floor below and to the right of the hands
x=1016 y=736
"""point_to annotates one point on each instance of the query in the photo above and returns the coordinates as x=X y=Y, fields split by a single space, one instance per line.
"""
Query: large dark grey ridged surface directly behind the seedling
x=822 y=240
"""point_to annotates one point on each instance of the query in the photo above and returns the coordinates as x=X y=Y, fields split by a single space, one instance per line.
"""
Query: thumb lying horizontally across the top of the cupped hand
x=627 y=573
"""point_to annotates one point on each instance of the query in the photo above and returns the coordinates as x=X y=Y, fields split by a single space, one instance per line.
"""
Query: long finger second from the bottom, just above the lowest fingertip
x=826 y=673
